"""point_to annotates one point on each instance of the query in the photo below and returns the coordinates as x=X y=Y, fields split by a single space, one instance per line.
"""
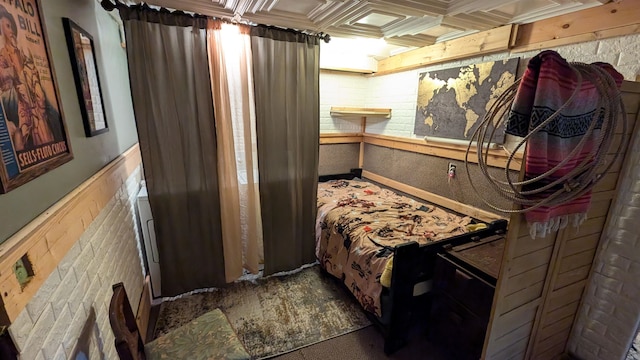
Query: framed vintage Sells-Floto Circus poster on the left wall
x=33 y=134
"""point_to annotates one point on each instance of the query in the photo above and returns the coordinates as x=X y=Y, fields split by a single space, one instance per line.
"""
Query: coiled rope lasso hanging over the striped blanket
x=577 y=181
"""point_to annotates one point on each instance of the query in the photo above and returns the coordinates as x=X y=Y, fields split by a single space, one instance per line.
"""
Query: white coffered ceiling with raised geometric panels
x=406 y=23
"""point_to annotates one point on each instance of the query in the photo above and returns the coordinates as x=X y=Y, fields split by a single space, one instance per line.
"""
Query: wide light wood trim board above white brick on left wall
x=48 y=238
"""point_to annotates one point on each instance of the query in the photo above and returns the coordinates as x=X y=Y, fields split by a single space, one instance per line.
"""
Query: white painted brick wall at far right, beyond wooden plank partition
x=610 y=313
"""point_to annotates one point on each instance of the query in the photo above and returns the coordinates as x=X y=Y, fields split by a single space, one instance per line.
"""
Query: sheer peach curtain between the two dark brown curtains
x=232 y=87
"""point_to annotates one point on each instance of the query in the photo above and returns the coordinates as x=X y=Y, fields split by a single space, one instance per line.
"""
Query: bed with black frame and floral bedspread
x=383 y=247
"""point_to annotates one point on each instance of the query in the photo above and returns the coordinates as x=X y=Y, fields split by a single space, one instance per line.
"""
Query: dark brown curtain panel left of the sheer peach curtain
x=171 y=90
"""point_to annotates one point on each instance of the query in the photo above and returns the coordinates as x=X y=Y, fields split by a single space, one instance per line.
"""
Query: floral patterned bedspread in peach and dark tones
x=359 y=223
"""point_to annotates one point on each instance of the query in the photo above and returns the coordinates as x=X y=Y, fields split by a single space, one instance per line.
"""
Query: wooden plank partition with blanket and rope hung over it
x=541 y=281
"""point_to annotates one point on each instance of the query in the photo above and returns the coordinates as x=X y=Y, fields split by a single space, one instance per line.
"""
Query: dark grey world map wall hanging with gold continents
x=452 y=102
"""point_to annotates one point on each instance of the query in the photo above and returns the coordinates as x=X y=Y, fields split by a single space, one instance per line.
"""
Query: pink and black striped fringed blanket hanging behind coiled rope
x=548 y=82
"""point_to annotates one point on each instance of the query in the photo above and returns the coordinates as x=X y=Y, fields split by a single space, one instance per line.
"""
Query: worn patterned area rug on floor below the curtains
x=275 y=315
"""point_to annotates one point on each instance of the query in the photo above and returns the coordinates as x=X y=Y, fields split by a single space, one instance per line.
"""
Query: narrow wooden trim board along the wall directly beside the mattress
x=434 y=198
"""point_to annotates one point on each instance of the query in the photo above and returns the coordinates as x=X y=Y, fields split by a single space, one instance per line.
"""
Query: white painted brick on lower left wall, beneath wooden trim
x=106 y=253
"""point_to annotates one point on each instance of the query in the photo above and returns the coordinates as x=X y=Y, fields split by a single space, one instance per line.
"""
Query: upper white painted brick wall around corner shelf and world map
x=399 y=91
